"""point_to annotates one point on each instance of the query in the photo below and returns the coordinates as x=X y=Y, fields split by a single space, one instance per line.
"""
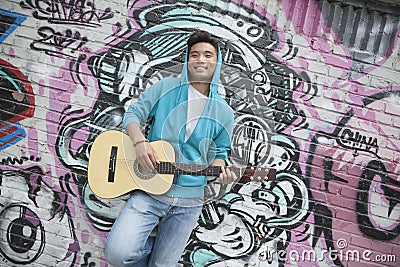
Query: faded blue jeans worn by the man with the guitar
x=129 y=242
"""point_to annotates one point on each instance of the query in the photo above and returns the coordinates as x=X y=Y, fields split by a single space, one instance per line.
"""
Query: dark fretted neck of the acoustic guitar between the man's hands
x=191 y=169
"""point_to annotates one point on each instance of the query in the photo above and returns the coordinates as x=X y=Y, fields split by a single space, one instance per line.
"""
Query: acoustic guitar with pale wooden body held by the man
x=114 y=171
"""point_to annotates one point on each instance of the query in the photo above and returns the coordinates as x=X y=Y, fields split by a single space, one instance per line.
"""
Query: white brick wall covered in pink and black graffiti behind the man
x=315 y=87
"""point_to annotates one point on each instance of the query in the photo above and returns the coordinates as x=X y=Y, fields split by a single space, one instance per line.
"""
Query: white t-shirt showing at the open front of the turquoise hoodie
x=196 y=103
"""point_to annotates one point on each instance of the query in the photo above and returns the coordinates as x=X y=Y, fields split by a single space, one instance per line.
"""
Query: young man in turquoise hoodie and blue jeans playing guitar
x=188 y=113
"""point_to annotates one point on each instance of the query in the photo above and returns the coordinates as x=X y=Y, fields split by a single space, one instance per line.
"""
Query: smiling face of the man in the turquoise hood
x=202 y=62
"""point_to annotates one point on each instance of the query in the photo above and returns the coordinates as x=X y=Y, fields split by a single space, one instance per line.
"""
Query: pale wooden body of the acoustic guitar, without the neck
x=112 y=171
